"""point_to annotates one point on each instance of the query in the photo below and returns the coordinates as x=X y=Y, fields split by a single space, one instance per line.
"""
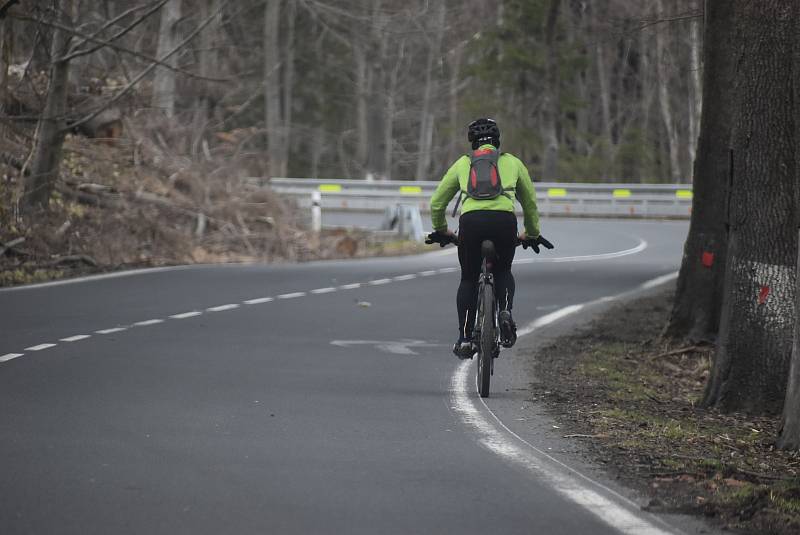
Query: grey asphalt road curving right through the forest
x=313 y=398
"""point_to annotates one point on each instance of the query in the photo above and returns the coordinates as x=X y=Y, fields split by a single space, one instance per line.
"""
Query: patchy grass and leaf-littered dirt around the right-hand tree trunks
x=635 y=398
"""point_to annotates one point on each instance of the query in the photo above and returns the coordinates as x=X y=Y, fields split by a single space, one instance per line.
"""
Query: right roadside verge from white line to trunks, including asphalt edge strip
x=601 y=392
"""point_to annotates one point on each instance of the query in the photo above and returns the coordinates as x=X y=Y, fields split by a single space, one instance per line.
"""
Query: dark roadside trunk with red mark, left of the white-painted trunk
x=695 y=312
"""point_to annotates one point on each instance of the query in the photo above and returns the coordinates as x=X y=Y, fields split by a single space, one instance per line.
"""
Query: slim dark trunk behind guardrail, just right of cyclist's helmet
x=550 y=99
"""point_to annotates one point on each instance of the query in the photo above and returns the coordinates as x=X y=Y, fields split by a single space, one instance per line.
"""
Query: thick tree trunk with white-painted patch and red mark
x=758 y=311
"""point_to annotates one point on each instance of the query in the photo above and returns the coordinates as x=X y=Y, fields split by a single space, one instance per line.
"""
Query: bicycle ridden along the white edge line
x=486 y=331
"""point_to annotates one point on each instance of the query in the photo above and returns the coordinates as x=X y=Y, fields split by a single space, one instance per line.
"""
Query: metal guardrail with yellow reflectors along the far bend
x=552 y=198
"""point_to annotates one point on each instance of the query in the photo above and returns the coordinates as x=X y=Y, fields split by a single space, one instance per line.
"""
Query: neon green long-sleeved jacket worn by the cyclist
x=516 y=183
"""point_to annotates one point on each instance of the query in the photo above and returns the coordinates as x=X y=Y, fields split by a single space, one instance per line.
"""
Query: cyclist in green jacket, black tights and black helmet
x=486 y=219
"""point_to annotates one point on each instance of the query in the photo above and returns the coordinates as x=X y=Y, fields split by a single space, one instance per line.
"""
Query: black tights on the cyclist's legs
x=474 y=228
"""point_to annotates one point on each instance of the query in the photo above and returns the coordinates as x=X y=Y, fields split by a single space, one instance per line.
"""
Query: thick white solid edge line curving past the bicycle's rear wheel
x=609 y=506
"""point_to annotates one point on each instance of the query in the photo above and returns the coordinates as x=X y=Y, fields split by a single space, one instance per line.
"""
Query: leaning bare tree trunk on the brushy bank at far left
x=51 y=129
